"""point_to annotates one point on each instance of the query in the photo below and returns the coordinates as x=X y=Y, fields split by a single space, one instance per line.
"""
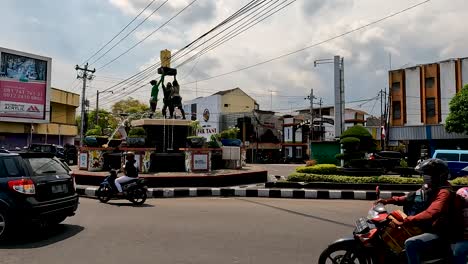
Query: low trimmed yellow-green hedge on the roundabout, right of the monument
x=329 y=173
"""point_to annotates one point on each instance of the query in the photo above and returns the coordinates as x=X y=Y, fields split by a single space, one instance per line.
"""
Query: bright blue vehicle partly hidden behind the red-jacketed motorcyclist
x=456 y=159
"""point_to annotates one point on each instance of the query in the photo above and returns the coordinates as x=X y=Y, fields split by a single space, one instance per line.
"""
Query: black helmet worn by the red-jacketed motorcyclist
x=435 y=171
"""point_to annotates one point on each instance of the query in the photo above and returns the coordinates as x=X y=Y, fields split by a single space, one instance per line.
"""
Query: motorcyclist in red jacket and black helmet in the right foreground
x=431 y=211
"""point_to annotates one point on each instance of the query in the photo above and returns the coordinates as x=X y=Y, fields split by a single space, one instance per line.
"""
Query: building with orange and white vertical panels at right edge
x=419 y=106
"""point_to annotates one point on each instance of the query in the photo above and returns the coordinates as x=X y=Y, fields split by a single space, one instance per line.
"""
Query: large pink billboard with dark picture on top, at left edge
x=24 y=87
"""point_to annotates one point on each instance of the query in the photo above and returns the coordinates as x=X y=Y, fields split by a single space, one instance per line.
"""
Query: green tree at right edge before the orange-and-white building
x=457 y=120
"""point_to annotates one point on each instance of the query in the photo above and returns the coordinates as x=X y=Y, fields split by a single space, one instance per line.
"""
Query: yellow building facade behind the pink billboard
x=61 y=129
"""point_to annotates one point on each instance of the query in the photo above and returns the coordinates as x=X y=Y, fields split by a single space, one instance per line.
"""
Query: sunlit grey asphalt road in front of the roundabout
x=191 y=230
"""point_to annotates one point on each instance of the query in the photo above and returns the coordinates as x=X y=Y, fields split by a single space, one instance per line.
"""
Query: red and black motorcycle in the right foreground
x=376 y=240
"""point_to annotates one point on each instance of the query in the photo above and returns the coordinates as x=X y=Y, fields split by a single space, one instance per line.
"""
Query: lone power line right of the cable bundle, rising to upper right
x=316 y=44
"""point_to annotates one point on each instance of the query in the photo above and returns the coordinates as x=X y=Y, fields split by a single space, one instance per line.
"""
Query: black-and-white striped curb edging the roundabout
x=241 y=192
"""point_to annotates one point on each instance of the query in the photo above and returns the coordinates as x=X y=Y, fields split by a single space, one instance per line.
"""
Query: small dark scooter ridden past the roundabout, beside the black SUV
x=134 y=190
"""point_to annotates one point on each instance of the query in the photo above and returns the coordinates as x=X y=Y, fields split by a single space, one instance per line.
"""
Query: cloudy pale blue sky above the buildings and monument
x=71 y=31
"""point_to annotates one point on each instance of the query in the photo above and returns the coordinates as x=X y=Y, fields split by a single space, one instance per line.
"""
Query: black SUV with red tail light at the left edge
x=34 y=188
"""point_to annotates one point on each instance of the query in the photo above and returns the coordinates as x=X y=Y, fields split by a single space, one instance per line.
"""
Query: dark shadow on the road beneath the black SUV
x=27 y=239
